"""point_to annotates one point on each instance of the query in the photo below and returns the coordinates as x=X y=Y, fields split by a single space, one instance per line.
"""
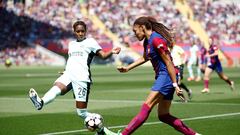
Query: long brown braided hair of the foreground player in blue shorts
x=151 y=23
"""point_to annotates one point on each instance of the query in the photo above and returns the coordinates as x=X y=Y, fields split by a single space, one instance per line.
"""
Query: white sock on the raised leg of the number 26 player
x=51 y=95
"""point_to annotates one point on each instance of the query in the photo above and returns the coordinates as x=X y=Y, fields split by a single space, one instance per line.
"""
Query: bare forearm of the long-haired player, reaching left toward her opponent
x=138 y=62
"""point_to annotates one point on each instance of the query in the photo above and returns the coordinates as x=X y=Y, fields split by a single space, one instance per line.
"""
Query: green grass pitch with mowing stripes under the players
x=117 y=97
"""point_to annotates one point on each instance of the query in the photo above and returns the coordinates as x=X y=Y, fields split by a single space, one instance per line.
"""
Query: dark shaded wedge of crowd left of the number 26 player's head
x=20 y=30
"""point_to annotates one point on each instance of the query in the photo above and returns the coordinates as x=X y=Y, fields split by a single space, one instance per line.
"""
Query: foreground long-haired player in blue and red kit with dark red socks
x=157 y=38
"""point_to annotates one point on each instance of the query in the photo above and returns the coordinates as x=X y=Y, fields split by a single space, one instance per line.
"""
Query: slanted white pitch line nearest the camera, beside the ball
x=149 y=123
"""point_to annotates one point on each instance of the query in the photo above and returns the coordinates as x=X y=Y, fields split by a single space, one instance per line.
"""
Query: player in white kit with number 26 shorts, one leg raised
x=77 y=73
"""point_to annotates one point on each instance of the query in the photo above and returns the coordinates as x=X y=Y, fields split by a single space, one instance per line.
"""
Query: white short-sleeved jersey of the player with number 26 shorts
x=80 y=55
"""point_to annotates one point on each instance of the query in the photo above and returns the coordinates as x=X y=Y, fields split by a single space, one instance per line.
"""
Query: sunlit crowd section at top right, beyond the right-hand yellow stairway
x=219 y=17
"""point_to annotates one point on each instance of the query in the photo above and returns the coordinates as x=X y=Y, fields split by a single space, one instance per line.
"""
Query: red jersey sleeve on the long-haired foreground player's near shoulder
x=160 y=45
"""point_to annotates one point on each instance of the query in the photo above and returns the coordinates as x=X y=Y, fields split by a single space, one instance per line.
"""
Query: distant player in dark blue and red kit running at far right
x=214 y=64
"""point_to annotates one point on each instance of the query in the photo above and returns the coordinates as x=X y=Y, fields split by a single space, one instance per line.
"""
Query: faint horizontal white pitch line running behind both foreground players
x=118 y=101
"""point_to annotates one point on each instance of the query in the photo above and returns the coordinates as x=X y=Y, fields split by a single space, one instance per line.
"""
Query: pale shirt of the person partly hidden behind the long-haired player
x=176 y=54
